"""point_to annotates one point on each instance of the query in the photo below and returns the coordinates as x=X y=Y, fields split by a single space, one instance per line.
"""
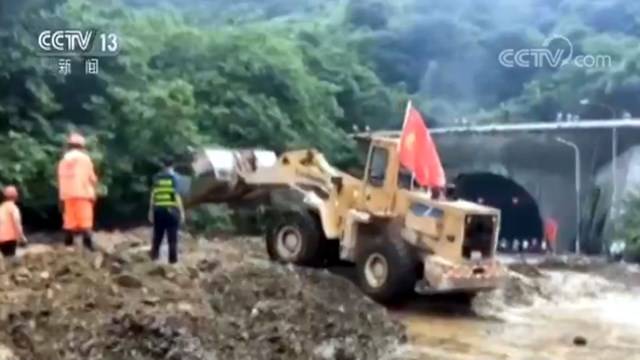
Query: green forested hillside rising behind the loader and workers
x=288 y=73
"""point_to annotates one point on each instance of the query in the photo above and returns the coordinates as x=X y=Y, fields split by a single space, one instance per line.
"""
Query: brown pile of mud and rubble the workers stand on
x=225 y=301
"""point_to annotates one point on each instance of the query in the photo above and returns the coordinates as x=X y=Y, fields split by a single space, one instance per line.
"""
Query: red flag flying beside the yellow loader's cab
x=418 y=152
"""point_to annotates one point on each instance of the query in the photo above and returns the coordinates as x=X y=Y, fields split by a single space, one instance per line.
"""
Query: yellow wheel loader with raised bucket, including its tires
x=401 y=238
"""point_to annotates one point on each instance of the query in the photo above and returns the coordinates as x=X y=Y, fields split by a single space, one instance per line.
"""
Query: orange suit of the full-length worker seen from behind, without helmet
x=77 y=190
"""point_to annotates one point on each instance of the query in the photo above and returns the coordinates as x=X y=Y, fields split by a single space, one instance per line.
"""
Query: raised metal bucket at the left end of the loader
x=218 y=175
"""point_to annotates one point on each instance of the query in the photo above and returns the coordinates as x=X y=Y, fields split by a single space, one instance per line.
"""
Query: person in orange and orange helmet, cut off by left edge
x=11 y=233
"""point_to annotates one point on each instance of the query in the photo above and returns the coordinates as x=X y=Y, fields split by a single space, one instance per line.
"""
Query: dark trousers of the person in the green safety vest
x=165 y=221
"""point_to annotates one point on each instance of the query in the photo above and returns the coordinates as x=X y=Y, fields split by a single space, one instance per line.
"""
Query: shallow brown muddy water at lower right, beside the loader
x=559 y=308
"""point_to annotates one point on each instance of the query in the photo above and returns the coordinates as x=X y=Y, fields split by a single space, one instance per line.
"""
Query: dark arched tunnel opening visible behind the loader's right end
x=521 y=228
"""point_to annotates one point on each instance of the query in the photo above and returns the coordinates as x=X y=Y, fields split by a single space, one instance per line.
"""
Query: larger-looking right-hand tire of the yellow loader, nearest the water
x=386 y=269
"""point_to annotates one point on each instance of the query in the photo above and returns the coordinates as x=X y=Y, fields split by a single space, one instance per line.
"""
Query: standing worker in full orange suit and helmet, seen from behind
x=77 y=183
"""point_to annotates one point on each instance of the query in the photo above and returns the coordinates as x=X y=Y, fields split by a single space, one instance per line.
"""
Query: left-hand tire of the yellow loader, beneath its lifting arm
x=295 y=238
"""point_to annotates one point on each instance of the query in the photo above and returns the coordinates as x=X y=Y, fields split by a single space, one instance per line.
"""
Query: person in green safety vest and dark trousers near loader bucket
x=166 y=212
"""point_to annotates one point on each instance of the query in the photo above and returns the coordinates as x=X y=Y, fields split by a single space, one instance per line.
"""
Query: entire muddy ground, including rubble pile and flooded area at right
x=227 y=301
